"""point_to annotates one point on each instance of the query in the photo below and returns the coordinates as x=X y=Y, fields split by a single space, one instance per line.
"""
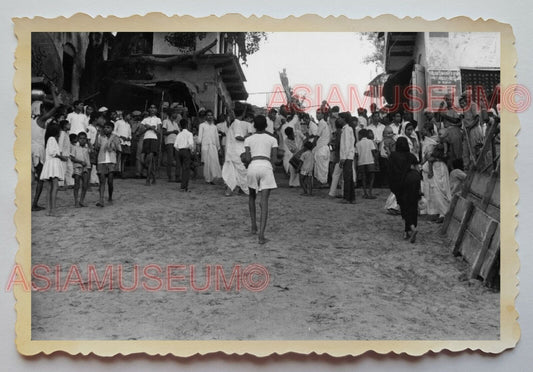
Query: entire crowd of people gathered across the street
x=80 y=146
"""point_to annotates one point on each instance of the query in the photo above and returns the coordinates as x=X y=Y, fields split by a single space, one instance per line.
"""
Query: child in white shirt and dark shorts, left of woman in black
x=364 y=150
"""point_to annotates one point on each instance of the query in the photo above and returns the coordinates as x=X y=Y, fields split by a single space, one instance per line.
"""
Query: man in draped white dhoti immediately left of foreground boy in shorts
x=233 y=170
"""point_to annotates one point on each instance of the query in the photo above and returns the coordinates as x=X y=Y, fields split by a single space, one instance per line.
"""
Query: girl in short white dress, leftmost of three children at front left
x=53 y=166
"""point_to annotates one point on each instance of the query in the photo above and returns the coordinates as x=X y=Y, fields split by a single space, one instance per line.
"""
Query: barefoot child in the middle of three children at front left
x=81 y=169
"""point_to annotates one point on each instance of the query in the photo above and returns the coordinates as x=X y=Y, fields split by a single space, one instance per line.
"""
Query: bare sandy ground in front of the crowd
x=336 y=271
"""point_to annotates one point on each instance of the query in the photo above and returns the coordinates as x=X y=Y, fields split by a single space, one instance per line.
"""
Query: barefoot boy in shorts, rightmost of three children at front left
x=108 y=144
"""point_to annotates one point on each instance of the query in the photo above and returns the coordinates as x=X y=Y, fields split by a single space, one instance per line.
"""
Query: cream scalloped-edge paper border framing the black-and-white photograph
x=509 y=328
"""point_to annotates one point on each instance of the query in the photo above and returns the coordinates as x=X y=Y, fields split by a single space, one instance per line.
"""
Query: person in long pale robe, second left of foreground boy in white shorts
x=210 y=145
